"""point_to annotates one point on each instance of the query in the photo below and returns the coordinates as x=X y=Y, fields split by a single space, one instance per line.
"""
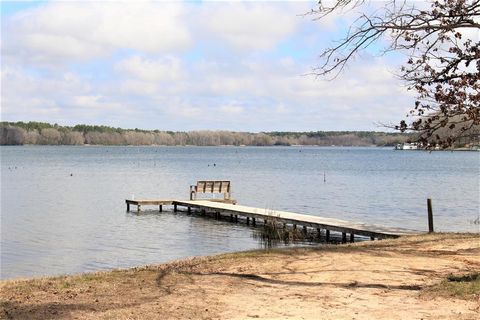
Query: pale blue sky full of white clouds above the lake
x=182 y=66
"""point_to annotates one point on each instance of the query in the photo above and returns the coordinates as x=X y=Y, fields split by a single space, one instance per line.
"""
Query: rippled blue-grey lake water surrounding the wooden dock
x=63 y=209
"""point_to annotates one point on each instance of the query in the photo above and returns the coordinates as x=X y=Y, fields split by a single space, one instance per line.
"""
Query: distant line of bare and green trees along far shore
x=40 y=133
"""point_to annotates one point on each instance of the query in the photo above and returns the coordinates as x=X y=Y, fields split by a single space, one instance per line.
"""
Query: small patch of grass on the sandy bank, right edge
x=465 y=286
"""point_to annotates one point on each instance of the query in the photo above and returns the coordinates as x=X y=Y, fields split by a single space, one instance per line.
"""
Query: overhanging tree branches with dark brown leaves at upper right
x=441 y=41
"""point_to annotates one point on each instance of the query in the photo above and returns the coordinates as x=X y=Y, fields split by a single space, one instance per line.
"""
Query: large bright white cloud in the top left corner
x=81 y=31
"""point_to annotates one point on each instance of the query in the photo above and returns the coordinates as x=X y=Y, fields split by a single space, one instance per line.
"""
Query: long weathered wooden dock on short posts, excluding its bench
x=254 y=216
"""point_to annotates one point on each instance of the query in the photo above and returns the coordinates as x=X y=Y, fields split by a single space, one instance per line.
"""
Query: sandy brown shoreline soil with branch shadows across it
x=370 y=280
